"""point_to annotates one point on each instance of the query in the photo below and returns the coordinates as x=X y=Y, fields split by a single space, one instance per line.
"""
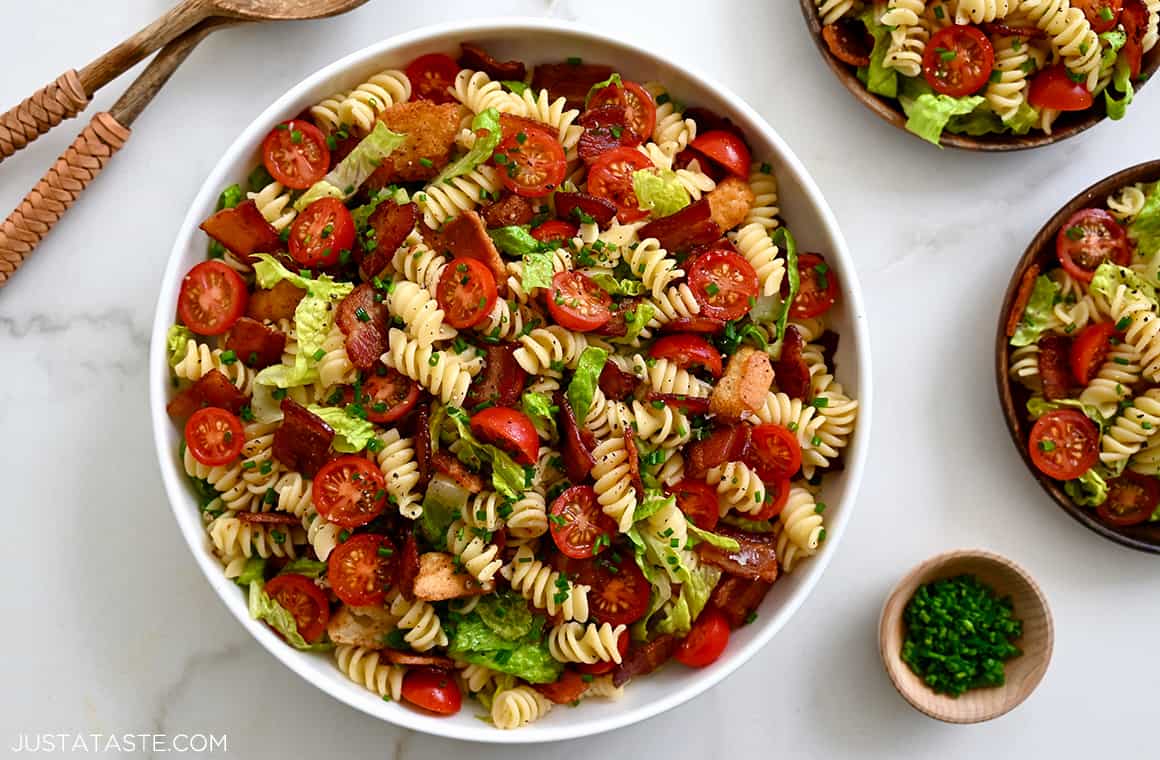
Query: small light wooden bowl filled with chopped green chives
x=966 y=636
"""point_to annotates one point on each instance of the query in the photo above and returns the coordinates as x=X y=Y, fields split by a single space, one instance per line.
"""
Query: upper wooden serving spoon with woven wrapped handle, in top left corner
x=72 y=91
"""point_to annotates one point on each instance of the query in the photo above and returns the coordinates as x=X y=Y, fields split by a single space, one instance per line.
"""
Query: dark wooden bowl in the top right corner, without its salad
x=1068 y=126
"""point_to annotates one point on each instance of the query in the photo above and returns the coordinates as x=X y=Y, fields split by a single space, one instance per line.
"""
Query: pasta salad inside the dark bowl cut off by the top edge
x=994 y=67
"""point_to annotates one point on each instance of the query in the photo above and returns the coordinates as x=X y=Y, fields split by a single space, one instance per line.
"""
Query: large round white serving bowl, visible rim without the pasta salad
x=807 y=215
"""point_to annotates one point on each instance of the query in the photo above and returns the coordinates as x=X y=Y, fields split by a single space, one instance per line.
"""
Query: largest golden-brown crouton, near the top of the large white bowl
x=431 y=132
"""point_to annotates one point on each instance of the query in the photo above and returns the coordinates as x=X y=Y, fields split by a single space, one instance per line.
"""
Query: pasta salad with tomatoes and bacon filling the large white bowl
x=507 y=382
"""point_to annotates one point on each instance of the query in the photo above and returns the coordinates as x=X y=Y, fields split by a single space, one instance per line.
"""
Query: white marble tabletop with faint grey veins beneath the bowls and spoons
x=111 y=628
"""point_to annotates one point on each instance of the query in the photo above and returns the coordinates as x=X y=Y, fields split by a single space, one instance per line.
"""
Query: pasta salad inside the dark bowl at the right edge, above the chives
x=1085 y=345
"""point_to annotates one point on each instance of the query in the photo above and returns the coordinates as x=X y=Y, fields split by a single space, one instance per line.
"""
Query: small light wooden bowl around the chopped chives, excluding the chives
x=1024 y=674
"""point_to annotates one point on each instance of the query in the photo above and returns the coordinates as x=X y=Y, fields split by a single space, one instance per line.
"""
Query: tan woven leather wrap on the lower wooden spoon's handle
x=57 y=191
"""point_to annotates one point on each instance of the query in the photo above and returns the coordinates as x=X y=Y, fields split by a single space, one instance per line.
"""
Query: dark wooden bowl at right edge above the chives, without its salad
x=1013 y=397
